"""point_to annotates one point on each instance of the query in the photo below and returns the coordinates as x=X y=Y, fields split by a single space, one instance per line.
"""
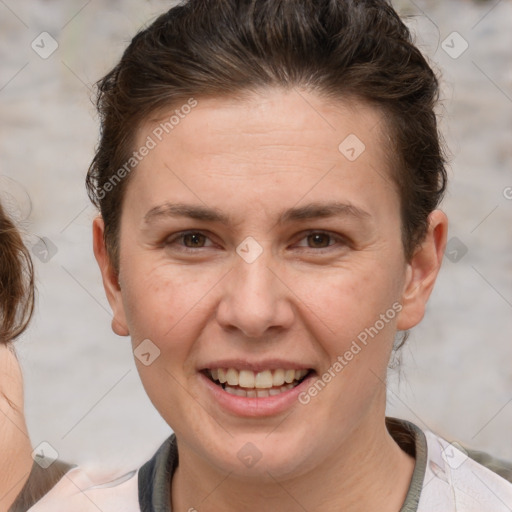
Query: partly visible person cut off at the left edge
x=22 y=481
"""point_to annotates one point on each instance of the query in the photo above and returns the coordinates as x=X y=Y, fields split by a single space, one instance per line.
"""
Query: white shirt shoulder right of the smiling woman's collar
x=454 y=481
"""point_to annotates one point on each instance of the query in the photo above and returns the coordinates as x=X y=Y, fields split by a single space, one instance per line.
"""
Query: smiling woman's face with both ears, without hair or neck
x=298 y=265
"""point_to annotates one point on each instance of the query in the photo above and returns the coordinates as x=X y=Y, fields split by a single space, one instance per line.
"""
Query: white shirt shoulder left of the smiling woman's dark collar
x=85 y=490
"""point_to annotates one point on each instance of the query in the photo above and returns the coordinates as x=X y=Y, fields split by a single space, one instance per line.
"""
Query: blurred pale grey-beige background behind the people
x=83 y=394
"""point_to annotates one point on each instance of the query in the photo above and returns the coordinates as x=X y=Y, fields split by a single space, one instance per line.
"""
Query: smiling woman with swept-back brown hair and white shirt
x=268 y=178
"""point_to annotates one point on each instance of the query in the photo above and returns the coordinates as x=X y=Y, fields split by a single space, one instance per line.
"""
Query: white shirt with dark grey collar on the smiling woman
x=451 y=482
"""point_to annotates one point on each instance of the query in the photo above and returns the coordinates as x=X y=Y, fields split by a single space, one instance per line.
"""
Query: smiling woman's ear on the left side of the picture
x=110 y=278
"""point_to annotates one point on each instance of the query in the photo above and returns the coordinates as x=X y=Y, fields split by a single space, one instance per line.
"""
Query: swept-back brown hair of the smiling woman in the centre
x=340 y=49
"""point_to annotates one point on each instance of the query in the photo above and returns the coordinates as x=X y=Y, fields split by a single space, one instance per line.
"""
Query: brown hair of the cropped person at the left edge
x=16 y=281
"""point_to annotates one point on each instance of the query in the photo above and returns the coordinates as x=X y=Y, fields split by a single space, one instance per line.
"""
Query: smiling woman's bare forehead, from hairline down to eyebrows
x=273 y=139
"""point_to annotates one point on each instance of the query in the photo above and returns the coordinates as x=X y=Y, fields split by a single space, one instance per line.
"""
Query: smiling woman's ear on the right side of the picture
x=422 y=271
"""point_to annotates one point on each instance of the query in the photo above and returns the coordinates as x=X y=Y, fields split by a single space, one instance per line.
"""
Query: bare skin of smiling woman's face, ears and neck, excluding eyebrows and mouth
x=303 y=300
